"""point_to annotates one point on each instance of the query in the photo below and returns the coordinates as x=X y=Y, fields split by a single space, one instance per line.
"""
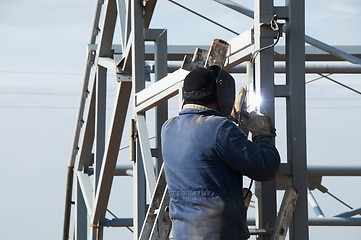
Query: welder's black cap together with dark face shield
x=208 y=85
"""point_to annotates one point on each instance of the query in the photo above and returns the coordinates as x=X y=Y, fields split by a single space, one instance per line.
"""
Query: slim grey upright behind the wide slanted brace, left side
x=100 y=119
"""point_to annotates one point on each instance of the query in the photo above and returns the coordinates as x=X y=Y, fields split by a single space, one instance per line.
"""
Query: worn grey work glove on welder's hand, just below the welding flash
x=260 y=125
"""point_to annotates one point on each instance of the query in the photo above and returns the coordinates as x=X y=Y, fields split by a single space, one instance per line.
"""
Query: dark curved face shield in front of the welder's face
x=225 y=87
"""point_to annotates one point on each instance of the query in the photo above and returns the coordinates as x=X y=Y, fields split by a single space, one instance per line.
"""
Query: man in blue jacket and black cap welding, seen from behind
x=206 y=155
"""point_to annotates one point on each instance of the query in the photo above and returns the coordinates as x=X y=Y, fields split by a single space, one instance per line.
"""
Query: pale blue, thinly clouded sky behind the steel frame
x=42 y=60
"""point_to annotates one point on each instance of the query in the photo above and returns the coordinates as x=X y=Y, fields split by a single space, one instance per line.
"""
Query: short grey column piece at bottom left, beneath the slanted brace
x=80 y=215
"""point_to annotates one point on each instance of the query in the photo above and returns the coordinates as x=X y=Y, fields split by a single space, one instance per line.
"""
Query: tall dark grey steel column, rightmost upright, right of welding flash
x=296 y=115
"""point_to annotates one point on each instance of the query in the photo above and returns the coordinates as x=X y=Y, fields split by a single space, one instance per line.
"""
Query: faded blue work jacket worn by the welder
x=205 y=156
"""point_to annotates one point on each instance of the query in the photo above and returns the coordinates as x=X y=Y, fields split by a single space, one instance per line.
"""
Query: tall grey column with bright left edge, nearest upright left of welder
x=138 y=82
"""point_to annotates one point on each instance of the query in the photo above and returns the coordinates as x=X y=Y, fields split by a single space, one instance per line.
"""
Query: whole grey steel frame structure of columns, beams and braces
x=94 y=147
